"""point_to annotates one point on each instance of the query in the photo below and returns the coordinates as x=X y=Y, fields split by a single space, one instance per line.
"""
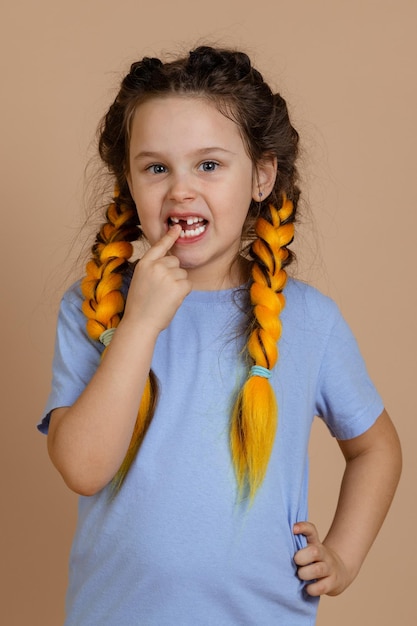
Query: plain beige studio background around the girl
x=347 y=68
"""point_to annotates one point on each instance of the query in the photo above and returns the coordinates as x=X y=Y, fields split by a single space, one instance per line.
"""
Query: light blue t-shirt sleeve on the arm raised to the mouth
x=76 y=356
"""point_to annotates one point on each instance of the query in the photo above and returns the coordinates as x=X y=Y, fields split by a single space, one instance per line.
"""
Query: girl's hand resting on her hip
x=319 y=564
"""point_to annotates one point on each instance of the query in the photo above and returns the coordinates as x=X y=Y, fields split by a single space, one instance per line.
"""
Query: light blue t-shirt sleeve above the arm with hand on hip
x=347 y=399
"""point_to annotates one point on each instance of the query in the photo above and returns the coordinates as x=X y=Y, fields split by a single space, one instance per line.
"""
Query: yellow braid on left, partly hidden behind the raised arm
x=104 y=305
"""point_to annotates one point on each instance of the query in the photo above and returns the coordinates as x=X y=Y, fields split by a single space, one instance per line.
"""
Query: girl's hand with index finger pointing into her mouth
x=158 y=286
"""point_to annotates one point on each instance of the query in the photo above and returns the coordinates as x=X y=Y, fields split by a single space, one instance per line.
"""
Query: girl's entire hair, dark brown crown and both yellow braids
x=227 y=79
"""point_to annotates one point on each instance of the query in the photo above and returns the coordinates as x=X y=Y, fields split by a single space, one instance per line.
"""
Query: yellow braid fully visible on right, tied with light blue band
x=254 y=419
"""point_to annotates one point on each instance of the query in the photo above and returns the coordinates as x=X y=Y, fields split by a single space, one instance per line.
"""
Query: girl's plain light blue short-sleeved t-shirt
x=176 y=547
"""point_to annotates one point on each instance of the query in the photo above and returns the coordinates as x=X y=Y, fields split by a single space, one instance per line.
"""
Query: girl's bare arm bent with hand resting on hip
x=373 y=467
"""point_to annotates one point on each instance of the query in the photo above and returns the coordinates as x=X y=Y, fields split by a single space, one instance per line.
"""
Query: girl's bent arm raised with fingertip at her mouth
x=87 y=442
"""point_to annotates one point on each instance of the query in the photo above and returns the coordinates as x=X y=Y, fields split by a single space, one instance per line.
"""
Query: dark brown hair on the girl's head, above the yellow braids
x=227 y=80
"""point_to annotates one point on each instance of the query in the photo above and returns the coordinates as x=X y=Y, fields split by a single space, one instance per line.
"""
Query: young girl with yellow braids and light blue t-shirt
x=200 y=515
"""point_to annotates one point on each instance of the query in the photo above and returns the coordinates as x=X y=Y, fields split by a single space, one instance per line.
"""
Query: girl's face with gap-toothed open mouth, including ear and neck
x=188 y=165
